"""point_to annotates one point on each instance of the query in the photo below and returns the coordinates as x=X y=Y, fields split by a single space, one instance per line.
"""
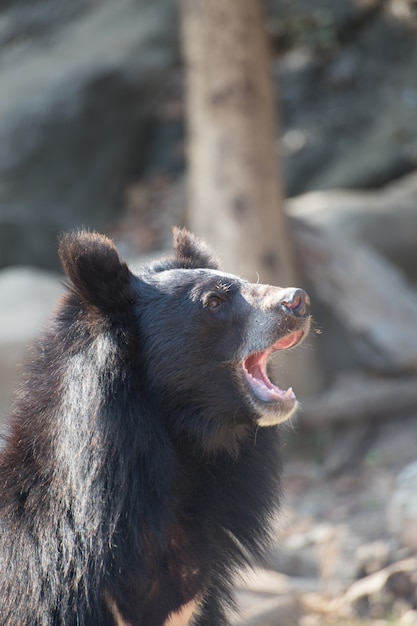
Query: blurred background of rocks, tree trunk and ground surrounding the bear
x=284 y=133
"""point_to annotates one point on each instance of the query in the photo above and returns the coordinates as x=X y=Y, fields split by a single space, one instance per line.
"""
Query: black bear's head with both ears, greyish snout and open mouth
x=200 y=337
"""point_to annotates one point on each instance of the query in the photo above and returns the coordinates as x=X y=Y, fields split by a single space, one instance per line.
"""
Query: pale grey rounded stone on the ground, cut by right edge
x=402 y=507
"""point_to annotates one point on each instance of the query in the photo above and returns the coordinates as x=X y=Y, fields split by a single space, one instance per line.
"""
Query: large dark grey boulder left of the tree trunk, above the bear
x=78 y=83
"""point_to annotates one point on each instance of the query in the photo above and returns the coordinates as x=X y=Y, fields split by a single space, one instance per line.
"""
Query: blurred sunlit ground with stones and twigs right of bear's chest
x=346 y=550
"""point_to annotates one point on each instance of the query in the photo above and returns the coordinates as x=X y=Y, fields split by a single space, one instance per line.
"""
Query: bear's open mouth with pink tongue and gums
x=254 y=367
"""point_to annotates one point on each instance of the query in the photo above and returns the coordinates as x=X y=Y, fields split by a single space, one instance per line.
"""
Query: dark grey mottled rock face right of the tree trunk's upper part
x=325 y=97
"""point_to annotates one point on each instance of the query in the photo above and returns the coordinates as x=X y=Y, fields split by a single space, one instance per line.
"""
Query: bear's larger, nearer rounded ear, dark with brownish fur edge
x=97 y=275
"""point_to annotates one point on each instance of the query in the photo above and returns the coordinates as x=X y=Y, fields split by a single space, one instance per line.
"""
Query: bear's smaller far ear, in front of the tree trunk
x=191 y=252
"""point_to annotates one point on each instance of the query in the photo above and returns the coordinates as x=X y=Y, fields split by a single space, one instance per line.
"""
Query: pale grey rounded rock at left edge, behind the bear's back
x=27 y=299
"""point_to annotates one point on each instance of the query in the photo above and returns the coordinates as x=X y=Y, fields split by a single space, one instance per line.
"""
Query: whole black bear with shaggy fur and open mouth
x=135 y=478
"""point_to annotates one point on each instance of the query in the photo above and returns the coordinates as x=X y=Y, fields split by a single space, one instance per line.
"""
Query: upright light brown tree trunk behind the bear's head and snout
x=234 y=195
